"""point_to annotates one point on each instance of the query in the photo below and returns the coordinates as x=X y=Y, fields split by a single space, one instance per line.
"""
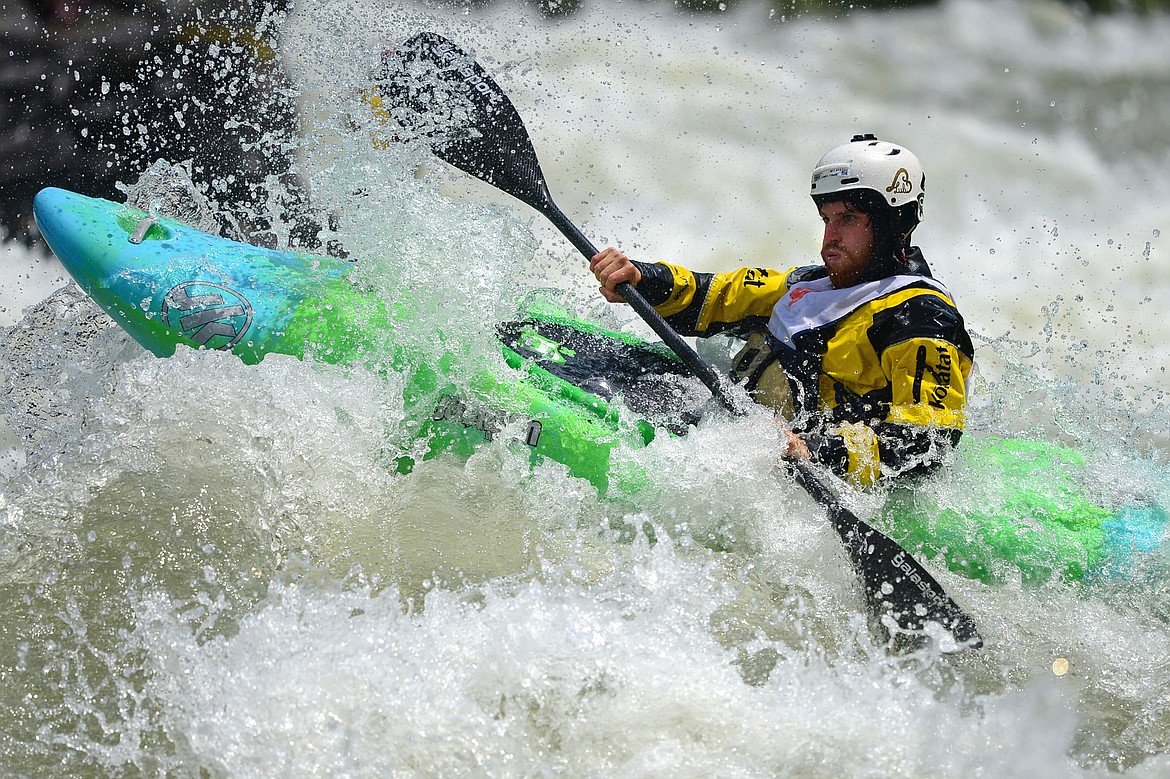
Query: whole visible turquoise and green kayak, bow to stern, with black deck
x=169 y=285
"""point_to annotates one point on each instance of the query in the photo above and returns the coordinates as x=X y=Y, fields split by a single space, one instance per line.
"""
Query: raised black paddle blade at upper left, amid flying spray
x=430 y=88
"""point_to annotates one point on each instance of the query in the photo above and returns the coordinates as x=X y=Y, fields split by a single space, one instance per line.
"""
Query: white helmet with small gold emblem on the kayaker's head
x=866 y=163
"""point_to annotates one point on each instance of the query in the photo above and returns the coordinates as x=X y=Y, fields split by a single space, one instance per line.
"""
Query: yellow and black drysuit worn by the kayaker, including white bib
x=873 y=376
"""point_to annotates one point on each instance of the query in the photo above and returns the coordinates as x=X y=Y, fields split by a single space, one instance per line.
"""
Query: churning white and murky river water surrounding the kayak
x=209 y=569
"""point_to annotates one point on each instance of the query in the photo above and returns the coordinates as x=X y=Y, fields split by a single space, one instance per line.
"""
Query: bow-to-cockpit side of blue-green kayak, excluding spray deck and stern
x=169 y=285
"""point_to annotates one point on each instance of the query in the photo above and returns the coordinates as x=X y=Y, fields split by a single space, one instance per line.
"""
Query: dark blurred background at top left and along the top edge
x=94 y=91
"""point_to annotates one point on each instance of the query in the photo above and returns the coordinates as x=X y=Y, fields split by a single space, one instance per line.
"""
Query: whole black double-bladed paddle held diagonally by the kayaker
x=430 y=88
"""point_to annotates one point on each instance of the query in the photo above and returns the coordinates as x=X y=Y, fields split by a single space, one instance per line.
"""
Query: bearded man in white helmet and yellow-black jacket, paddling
x=866 y=356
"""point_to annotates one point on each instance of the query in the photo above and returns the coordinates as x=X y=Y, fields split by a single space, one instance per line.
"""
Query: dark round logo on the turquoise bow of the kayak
x=211 y=315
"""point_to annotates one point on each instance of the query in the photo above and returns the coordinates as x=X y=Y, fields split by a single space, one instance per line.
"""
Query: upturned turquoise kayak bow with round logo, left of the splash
x=168 y=284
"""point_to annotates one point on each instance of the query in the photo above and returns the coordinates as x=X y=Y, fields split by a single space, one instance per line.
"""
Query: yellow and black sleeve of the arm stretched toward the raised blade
x=704 y=305
